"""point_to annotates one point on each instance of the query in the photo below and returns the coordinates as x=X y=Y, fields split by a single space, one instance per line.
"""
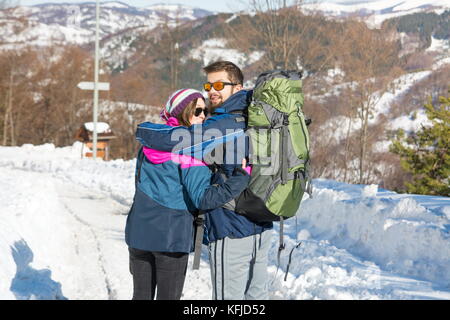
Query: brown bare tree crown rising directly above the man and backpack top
x=289 y=38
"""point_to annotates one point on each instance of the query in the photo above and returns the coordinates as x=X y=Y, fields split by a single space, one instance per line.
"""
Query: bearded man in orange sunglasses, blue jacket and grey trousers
x=238 y=248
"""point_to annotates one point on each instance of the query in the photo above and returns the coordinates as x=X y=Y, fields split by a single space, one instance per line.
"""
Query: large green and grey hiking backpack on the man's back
x=279 y=149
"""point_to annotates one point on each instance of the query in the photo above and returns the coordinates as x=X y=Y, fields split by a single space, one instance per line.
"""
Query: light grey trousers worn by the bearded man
x=239 y=267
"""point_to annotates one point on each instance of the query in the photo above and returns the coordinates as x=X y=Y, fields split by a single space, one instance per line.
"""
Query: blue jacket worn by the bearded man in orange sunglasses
x=228 y=126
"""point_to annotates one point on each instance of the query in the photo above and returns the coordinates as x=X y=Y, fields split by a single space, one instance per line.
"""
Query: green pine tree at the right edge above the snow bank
x=426 y=153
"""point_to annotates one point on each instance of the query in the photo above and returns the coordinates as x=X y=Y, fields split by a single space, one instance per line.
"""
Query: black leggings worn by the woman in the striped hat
x=165 y=271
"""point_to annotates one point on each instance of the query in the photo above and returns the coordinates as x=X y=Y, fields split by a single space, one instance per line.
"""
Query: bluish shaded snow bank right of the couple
x=406 y=234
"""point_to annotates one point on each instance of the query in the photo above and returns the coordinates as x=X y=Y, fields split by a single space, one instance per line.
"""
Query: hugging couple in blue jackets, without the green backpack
x=171 y=189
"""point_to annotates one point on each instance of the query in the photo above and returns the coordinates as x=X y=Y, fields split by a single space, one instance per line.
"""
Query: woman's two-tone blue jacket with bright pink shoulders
x=169 y=189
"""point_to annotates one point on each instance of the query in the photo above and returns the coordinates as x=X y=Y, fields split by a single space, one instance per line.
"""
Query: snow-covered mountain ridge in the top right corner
x=375 y=12
